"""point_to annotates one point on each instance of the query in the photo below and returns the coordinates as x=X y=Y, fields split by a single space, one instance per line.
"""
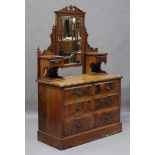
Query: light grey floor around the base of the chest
x=118 y=144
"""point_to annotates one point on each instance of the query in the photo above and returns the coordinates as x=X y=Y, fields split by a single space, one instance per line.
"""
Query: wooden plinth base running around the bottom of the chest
x=80 y=138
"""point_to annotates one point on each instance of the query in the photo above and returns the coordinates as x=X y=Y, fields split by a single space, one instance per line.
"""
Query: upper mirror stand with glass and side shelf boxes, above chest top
x=69 y=36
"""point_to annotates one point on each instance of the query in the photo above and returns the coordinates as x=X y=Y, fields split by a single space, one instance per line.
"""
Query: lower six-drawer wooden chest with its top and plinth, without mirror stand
x=78 y=109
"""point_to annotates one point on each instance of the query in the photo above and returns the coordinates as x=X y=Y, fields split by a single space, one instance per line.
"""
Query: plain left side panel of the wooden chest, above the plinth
x=50 y=110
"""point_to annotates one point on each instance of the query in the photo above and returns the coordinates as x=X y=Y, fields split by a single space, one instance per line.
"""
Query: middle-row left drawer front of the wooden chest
x=78 y=108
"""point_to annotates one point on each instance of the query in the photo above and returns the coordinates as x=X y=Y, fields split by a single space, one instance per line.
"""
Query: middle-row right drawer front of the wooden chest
x=106 y=102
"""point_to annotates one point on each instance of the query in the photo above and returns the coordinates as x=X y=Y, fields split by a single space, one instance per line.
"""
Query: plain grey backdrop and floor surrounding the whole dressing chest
x=107 y=23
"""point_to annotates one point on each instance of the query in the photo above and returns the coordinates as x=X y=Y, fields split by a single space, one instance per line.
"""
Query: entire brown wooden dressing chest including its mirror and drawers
x=73 y=110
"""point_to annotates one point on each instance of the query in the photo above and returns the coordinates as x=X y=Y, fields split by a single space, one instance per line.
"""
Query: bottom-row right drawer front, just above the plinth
x=106 y=118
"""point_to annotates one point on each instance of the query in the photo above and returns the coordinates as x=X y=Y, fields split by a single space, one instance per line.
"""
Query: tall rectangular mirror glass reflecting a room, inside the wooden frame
x=70 y=39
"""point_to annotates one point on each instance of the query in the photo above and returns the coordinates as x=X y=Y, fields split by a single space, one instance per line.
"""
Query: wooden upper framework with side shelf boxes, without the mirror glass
x=86 y=57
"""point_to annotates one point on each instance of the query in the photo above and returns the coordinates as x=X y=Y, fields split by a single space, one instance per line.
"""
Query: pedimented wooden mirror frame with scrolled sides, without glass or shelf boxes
x=54 y=46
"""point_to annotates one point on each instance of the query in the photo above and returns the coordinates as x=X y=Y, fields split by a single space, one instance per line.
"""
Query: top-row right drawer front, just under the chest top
x=106 y=87
